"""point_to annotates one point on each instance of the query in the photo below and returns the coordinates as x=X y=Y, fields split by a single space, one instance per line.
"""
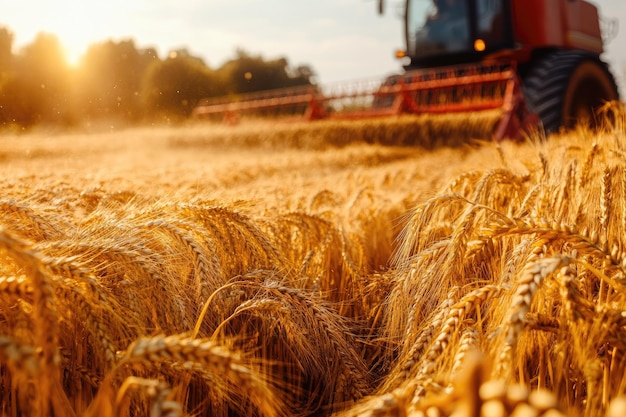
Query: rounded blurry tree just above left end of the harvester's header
x=174 y=86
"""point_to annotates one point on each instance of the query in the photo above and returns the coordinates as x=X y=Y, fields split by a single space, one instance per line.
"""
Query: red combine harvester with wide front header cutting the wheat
x=536 y=60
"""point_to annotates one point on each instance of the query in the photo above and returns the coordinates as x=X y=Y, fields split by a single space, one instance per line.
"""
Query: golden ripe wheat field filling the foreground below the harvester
x=332 y=269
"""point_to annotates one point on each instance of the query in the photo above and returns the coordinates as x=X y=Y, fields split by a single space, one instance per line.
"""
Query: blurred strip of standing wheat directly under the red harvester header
x=427 y=131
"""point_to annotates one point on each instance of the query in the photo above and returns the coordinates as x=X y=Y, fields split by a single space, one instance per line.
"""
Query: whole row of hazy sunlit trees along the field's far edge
x=117 y=81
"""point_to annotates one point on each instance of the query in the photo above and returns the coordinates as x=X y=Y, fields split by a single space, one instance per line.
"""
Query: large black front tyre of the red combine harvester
x=566 y=88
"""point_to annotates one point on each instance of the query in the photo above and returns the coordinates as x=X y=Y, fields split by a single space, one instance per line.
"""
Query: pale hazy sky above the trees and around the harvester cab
x=341 y=40
